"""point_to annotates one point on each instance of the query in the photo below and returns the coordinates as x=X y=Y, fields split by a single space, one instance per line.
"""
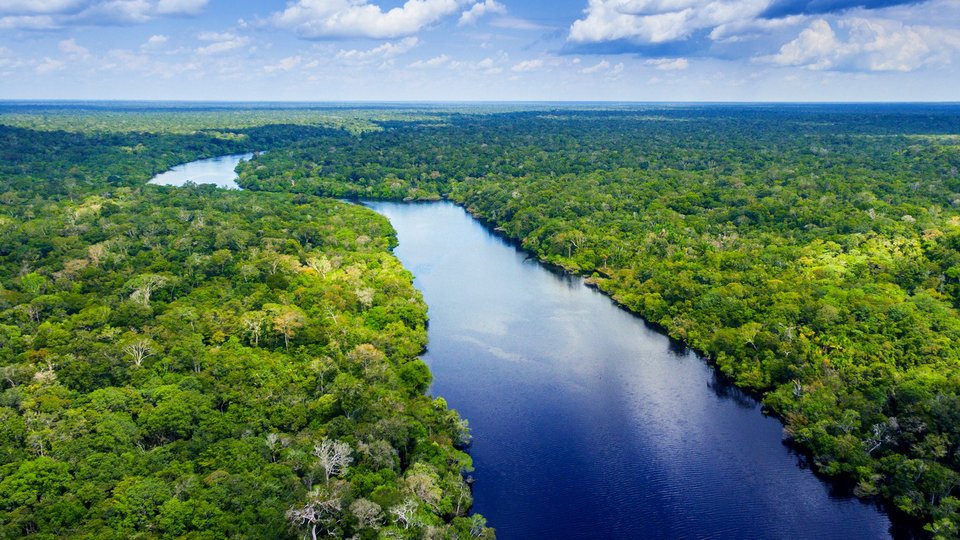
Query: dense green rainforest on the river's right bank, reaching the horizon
x=811 y=252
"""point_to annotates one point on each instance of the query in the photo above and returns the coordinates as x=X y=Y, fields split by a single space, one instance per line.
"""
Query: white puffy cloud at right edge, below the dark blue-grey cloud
x=869 y=45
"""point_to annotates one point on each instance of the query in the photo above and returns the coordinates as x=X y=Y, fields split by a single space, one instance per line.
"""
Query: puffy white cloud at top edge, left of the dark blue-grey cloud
x=658 y=21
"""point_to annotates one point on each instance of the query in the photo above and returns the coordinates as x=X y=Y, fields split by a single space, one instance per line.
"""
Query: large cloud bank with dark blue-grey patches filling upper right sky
x=842 y=35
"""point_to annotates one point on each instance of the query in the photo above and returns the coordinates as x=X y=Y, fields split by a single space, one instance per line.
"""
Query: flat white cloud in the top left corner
x=51 y=14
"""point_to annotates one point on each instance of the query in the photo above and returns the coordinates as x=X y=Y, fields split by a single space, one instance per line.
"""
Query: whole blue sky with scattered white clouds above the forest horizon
x=480 y=50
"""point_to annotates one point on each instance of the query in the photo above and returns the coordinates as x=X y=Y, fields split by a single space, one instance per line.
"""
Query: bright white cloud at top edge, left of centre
x=317 y=19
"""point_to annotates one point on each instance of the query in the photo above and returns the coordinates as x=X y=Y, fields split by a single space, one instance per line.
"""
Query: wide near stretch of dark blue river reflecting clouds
x=586 y=422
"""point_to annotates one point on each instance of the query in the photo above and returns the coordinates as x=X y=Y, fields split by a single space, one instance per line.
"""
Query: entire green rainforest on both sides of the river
x=166 y=350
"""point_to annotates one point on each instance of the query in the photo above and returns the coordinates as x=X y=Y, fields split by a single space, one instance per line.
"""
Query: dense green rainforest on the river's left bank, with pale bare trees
x=200 y=363
